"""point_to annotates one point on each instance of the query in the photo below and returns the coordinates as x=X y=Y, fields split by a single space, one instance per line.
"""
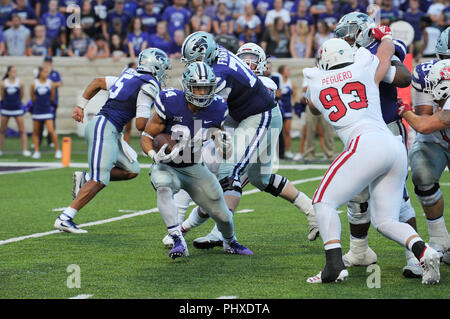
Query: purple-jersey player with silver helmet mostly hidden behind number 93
x=354 y=28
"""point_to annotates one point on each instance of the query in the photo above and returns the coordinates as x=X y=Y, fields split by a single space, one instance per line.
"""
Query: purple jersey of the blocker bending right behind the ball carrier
x=248 y=95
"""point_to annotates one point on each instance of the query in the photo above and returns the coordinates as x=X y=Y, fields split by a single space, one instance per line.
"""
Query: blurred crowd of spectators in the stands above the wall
x=117 y=28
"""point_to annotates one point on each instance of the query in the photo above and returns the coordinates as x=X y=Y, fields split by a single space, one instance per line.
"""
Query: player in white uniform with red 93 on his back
x=344 y=88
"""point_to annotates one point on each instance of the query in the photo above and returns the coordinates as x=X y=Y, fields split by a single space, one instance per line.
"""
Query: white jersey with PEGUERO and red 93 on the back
x=348 y=97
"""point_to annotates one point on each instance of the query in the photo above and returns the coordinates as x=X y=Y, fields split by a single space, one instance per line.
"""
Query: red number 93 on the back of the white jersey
x=330 y=97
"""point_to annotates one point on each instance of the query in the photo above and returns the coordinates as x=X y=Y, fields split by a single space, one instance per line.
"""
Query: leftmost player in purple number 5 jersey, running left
x=110 y=157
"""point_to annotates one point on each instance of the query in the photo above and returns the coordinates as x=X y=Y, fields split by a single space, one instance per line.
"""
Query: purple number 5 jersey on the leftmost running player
x=120 y=108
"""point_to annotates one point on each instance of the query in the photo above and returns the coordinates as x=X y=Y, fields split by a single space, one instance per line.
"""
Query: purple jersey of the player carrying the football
x=172 y=108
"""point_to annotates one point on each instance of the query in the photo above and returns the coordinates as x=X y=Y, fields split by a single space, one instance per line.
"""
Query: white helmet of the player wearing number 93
x=334 y=52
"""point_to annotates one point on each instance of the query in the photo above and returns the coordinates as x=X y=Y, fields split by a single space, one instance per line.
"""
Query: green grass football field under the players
x=122 y=255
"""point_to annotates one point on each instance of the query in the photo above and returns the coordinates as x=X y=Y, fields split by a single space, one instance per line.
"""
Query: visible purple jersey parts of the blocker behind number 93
x=388 y=92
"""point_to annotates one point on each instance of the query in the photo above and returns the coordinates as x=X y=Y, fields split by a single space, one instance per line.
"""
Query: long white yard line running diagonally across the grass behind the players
x=138 y=213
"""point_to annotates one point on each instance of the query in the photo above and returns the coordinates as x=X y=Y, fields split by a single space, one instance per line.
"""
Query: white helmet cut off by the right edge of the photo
x=437 y=82
